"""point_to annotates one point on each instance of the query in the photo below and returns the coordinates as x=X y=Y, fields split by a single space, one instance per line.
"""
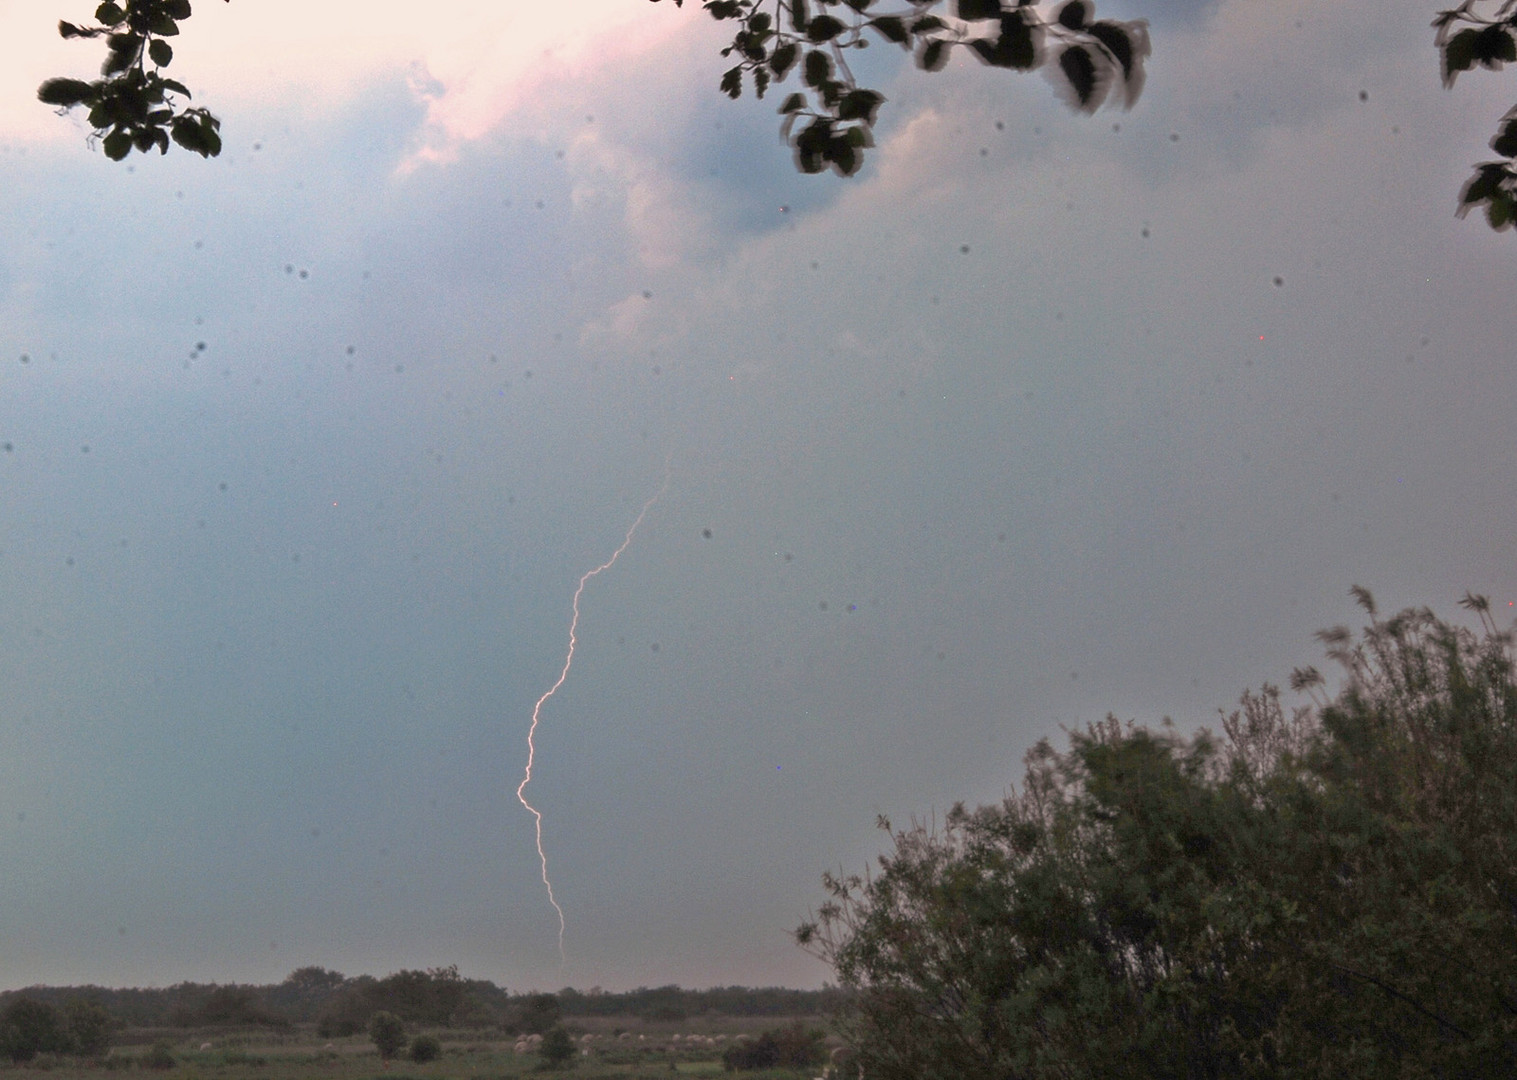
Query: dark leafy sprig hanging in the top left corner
x=133 y=105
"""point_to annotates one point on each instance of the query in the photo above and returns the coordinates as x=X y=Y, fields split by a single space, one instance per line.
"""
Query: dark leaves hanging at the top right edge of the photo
x=1469 y=39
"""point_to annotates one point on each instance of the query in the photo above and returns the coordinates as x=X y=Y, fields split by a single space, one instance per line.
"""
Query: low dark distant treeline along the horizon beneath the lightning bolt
x=441 y=997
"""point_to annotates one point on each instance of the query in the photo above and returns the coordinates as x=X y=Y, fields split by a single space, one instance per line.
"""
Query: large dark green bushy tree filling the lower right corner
x=1330 y=891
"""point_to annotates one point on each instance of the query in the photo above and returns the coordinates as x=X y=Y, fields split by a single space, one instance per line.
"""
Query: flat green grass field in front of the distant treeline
x=611 y=1049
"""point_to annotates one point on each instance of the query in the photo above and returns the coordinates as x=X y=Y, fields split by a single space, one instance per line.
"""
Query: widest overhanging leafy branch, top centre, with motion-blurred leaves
x=831 y=124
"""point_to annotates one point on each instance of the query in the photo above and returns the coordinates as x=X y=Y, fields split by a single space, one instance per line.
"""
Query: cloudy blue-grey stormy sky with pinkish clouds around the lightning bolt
x=1040 y=418
